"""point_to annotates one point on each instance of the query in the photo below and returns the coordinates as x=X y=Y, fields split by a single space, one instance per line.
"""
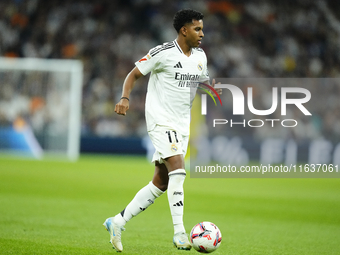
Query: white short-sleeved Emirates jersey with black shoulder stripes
x=172 y=85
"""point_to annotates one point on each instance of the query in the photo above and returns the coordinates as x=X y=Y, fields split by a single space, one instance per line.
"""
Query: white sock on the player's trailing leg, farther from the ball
x=143 y=199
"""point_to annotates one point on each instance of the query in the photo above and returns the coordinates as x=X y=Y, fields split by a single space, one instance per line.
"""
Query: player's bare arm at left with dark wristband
x=130 y=80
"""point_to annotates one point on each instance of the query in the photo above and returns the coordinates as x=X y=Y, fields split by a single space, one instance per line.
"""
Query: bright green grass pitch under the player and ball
x=51 y=207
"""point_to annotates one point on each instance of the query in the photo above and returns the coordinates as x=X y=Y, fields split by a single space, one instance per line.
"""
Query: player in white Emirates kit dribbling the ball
x=175 y=69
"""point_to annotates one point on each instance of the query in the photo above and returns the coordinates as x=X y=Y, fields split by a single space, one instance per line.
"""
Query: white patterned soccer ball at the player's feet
x=205 y=237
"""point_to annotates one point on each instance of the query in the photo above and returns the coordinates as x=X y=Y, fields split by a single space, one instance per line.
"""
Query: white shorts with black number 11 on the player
x=168 y=142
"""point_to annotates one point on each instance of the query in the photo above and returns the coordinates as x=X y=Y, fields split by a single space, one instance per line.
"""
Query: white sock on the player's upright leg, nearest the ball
x=176 y=198
